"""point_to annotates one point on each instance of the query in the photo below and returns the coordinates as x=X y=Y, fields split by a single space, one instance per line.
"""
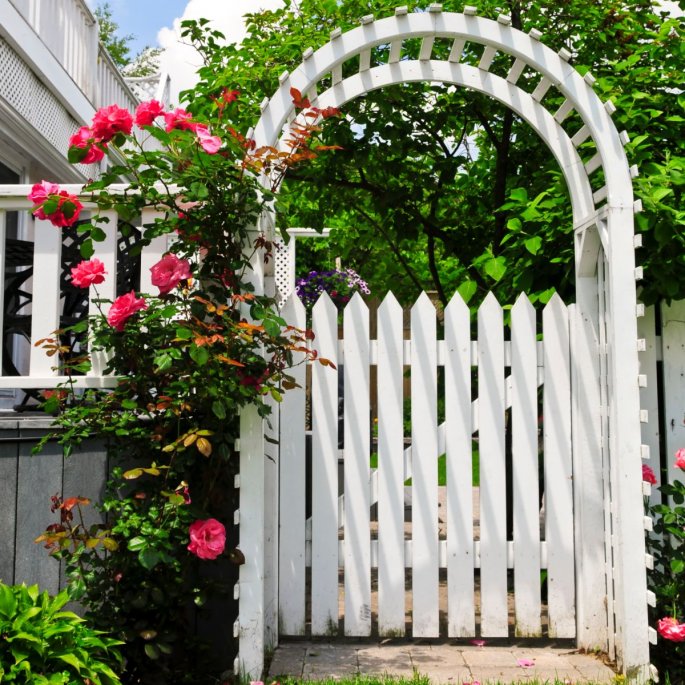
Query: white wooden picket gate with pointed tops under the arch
x=341 y=536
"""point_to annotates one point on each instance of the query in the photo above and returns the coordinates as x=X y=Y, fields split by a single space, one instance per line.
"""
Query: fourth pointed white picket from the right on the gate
x=461 y=620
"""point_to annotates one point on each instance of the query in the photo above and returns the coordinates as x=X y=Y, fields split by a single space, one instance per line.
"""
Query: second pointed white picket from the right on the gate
x=524 y=417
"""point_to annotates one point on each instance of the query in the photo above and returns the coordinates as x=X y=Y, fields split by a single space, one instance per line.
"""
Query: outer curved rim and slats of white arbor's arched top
x=497 y=37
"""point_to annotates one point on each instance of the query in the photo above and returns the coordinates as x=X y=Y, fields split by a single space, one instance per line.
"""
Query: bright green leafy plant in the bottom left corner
x=44 y=645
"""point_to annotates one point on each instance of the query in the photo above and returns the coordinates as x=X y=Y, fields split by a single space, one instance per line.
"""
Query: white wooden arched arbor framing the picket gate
x=609 y=527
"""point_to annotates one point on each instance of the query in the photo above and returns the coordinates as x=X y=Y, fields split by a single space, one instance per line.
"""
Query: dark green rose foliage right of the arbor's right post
x=667 y=579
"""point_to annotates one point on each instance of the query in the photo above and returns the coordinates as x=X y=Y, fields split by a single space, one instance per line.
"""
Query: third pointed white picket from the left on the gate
x=357 y=450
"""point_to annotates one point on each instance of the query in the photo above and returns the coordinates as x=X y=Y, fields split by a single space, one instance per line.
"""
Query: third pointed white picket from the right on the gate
x=493 y=514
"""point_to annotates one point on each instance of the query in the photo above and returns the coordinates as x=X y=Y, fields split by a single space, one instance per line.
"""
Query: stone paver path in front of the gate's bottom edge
x=444 y=664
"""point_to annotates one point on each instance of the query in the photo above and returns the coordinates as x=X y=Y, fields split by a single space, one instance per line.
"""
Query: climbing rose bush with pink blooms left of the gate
x=185 y=361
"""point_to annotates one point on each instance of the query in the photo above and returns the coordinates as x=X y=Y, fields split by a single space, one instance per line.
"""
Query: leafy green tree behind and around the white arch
x=439 y=187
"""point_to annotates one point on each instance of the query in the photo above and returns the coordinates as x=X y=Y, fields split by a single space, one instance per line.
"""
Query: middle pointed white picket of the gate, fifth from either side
x=424 y=440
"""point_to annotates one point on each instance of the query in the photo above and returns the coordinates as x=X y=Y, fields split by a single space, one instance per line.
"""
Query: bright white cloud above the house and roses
x=180 y=60
